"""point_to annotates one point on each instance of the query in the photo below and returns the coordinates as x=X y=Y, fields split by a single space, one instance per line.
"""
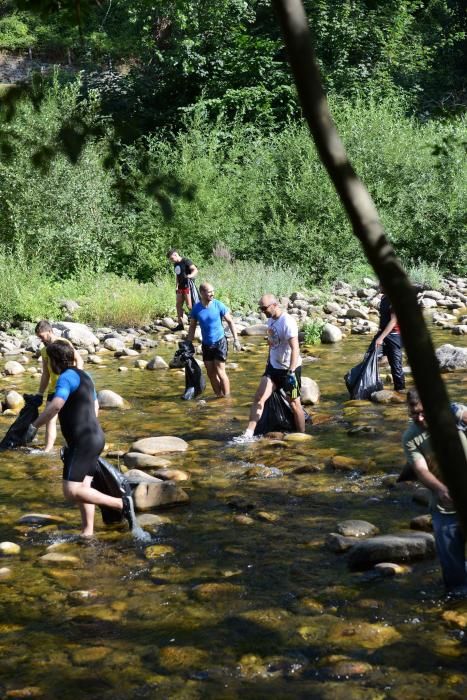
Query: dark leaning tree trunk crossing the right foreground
x=367 y=227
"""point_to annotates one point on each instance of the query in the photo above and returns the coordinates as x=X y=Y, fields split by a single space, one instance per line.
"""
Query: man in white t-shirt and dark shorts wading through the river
x=283 y=369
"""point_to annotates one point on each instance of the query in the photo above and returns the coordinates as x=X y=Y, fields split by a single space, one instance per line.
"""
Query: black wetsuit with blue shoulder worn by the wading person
x=79 y=424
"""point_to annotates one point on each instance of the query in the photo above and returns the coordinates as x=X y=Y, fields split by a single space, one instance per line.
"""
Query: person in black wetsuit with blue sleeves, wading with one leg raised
x=75 y=402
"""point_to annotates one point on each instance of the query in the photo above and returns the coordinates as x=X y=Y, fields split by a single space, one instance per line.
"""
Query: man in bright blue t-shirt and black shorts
x=210 y=313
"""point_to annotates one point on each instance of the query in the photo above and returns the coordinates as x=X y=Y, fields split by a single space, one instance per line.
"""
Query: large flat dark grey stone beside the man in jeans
x=398 y=548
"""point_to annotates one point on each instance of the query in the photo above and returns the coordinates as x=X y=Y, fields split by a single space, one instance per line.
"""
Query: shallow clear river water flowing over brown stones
x=242 y=598
